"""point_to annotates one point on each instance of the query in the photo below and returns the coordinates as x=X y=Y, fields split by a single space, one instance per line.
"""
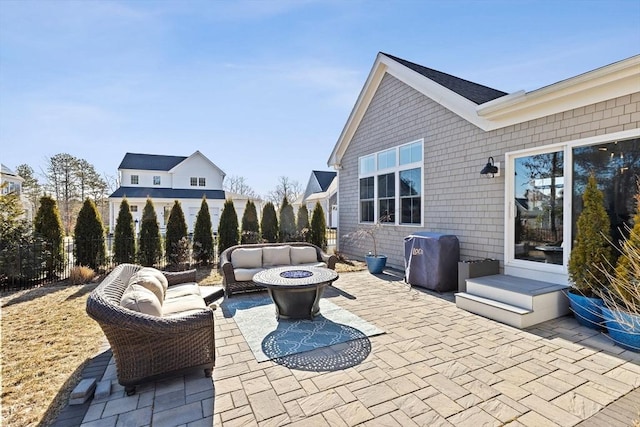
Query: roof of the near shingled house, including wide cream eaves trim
x=487 y=108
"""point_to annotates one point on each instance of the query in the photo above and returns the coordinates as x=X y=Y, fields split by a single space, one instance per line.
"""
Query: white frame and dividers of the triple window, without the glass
x=396 y=171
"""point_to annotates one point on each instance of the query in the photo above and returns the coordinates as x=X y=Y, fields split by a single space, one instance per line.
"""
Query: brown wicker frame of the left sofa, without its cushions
x=149 y=347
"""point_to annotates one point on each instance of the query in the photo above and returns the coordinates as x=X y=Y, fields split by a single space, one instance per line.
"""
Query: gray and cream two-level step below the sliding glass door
x=516 y=301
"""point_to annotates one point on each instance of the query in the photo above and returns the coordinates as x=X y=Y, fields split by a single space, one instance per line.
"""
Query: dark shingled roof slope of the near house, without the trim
x=474 y=92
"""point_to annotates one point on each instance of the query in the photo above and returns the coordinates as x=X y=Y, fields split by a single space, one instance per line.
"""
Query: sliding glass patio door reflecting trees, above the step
x=542 y=221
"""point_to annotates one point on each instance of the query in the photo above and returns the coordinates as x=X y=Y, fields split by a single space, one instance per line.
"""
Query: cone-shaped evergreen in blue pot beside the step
x=590 y=259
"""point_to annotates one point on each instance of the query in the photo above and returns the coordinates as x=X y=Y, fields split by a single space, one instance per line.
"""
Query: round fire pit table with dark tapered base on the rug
x=296 y=291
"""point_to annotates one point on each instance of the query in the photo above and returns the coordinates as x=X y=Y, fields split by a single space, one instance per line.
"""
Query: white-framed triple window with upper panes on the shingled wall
x=390 y=182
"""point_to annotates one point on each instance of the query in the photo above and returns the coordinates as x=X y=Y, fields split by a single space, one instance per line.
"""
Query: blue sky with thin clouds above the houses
x=262 y=88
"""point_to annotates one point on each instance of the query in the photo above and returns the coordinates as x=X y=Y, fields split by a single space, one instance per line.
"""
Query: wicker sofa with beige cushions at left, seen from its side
x=150 y=346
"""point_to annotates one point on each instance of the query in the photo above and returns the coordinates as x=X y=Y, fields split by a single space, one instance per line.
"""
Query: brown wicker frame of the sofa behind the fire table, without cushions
x=232 y=285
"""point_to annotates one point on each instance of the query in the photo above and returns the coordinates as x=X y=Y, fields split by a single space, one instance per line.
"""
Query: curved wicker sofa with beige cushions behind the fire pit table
x=241 y=262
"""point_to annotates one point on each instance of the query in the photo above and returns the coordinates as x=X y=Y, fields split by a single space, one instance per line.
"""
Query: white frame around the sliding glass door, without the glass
x=550 y=272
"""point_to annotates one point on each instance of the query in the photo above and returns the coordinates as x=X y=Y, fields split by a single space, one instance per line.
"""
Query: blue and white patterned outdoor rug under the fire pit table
x=269 y=338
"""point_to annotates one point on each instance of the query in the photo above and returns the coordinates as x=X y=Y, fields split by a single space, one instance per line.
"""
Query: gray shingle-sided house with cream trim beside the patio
x=412 y=149
